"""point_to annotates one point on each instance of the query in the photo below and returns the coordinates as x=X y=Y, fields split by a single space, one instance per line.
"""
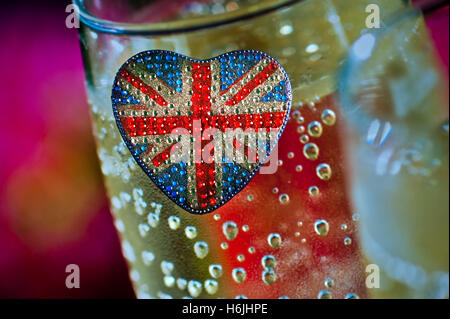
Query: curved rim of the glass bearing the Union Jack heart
x=178 y=26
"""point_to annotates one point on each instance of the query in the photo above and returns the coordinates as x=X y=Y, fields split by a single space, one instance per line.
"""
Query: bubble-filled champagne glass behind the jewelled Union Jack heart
x=291 y=234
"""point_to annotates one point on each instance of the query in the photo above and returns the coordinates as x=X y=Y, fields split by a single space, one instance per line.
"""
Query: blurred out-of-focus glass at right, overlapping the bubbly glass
x=394 y=97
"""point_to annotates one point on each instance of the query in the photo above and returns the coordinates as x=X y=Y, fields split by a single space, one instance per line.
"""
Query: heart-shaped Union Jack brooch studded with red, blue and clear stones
x=200 y=129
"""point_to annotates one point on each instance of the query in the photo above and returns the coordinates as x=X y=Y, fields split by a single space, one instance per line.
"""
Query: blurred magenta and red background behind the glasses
x=53 y=209
